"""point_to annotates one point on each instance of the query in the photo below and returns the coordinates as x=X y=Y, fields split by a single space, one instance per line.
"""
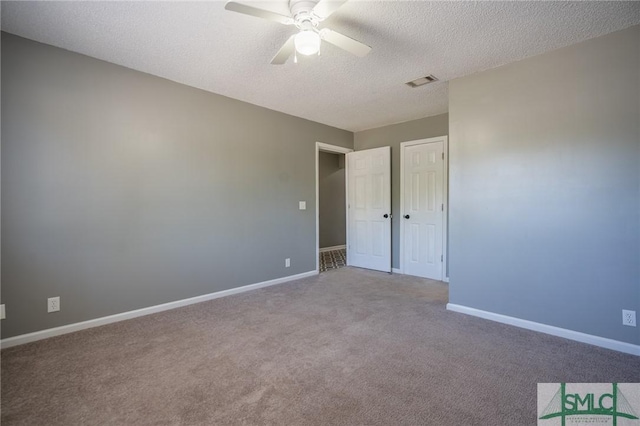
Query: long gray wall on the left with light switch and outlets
x=121 y=190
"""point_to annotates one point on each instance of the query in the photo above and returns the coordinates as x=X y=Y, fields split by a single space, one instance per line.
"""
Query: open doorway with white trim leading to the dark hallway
x=331 y=207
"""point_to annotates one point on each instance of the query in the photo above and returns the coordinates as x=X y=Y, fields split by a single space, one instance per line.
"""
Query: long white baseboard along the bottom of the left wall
x=70 y=328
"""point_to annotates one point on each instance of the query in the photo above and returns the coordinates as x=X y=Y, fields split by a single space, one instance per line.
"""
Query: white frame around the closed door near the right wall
x=445 y=200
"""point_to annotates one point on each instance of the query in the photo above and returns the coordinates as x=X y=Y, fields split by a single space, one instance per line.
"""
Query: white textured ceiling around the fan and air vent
x=202 y=45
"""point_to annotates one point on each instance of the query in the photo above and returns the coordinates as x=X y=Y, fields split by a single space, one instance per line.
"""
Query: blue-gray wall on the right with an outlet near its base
x=545 y=187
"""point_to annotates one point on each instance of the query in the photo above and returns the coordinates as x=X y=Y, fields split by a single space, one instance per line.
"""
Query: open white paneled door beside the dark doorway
x=369 y=207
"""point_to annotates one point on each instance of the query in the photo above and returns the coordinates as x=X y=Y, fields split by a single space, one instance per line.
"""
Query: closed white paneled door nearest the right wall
x=422 y=220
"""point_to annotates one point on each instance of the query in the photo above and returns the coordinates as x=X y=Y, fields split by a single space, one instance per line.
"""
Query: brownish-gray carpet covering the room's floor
x=346 y=347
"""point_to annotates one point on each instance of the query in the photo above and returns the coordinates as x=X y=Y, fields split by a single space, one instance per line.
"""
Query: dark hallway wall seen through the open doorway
x=332 y=203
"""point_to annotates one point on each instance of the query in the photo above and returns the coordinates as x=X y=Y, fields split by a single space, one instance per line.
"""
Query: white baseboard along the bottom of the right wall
x=603 y=342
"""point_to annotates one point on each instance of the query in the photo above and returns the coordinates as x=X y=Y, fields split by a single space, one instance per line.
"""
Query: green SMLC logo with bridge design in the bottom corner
x=613 y=404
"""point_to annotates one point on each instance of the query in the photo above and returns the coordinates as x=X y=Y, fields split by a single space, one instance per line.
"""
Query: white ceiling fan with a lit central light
x=306 y=16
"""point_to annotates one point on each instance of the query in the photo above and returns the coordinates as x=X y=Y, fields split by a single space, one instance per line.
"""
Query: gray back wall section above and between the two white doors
x=392 y=136
